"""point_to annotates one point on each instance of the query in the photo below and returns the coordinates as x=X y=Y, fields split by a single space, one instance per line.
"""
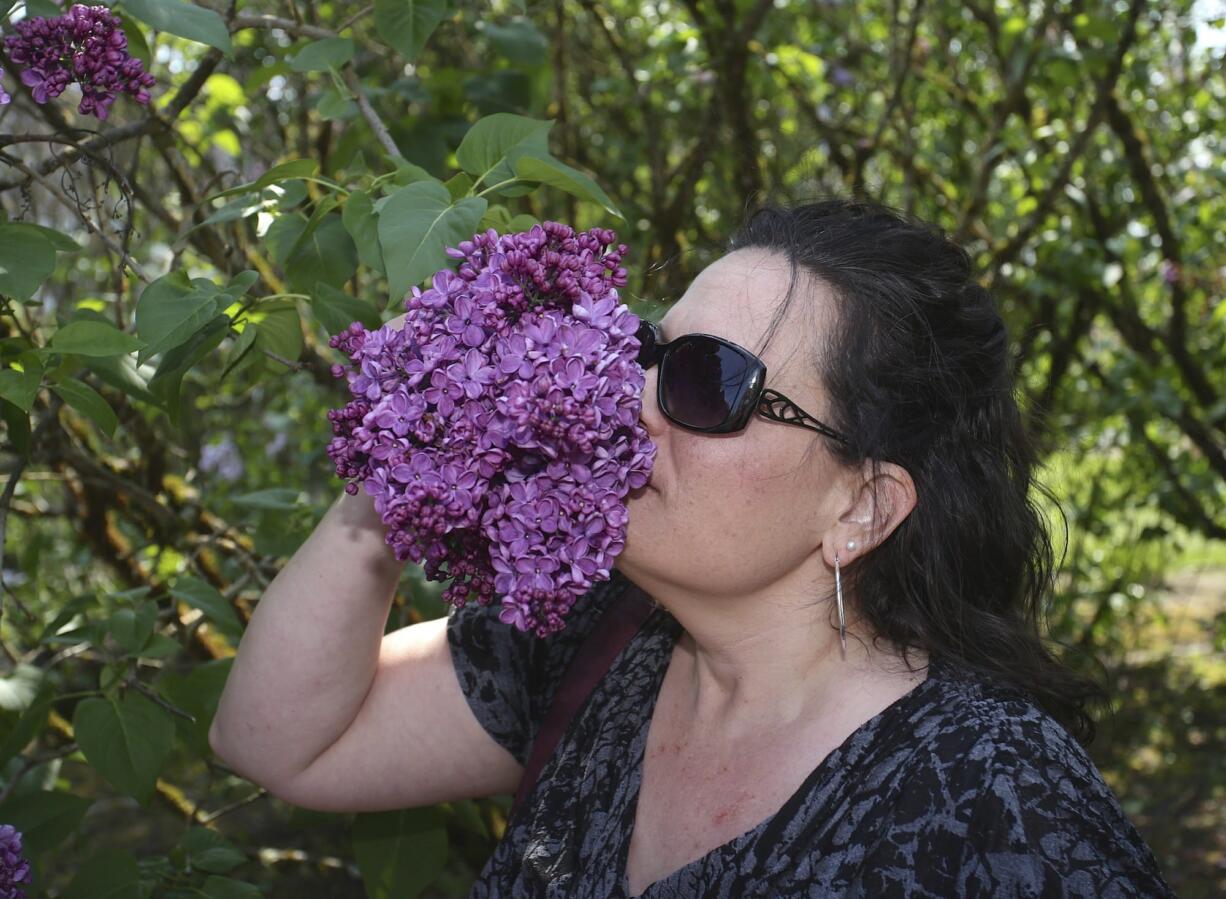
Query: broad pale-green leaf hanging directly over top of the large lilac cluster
x=416 y=226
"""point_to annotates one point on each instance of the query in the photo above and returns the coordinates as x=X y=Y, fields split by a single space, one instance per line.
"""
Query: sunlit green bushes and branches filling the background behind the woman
x=1073 y=147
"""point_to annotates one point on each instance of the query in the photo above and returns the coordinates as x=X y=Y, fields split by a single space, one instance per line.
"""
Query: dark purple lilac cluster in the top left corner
x=86 y=45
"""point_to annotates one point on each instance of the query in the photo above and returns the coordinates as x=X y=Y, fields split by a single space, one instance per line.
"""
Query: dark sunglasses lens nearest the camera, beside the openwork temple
x=703 y=382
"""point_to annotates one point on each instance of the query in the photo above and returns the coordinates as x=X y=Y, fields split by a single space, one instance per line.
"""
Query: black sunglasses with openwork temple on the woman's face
x=714 y=387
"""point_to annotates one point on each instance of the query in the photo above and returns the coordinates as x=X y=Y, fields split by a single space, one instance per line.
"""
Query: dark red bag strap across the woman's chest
x=612 y=632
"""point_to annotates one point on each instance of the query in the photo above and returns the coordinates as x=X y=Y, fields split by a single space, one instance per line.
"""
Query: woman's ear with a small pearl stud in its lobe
x=880 y=503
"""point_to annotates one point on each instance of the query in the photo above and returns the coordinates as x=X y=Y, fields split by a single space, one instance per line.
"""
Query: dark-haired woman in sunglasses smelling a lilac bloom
x=842 y=690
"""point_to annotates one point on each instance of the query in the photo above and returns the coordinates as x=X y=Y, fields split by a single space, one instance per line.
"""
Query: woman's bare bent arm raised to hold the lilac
x=326 y=712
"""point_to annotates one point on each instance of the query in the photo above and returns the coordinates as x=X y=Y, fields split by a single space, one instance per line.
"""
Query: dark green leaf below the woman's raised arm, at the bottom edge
x=400 y=853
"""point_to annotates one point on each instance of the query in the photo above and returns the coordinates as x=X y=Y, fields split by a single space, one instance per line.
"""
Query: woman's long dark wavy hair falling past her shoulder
x=919 y=373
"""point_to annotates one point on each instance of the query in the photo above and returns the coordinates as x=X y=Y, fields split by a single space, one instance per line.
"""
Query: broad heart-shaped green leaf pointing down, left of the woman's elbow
x=127 y=741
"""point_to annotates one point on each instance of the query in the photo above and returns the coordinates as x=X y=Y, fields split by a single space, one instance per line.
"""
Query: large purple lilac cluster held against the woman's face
x=498 y=431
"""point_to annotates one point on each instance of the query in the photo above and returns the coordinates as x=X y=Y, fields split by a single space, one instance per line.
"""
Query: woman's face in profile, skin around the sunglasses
x=730 y=515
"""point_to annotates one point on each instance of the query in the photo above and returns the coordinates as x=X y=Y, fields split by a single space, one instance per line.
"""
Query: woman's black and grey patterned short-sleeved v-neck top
x=961 y=788
